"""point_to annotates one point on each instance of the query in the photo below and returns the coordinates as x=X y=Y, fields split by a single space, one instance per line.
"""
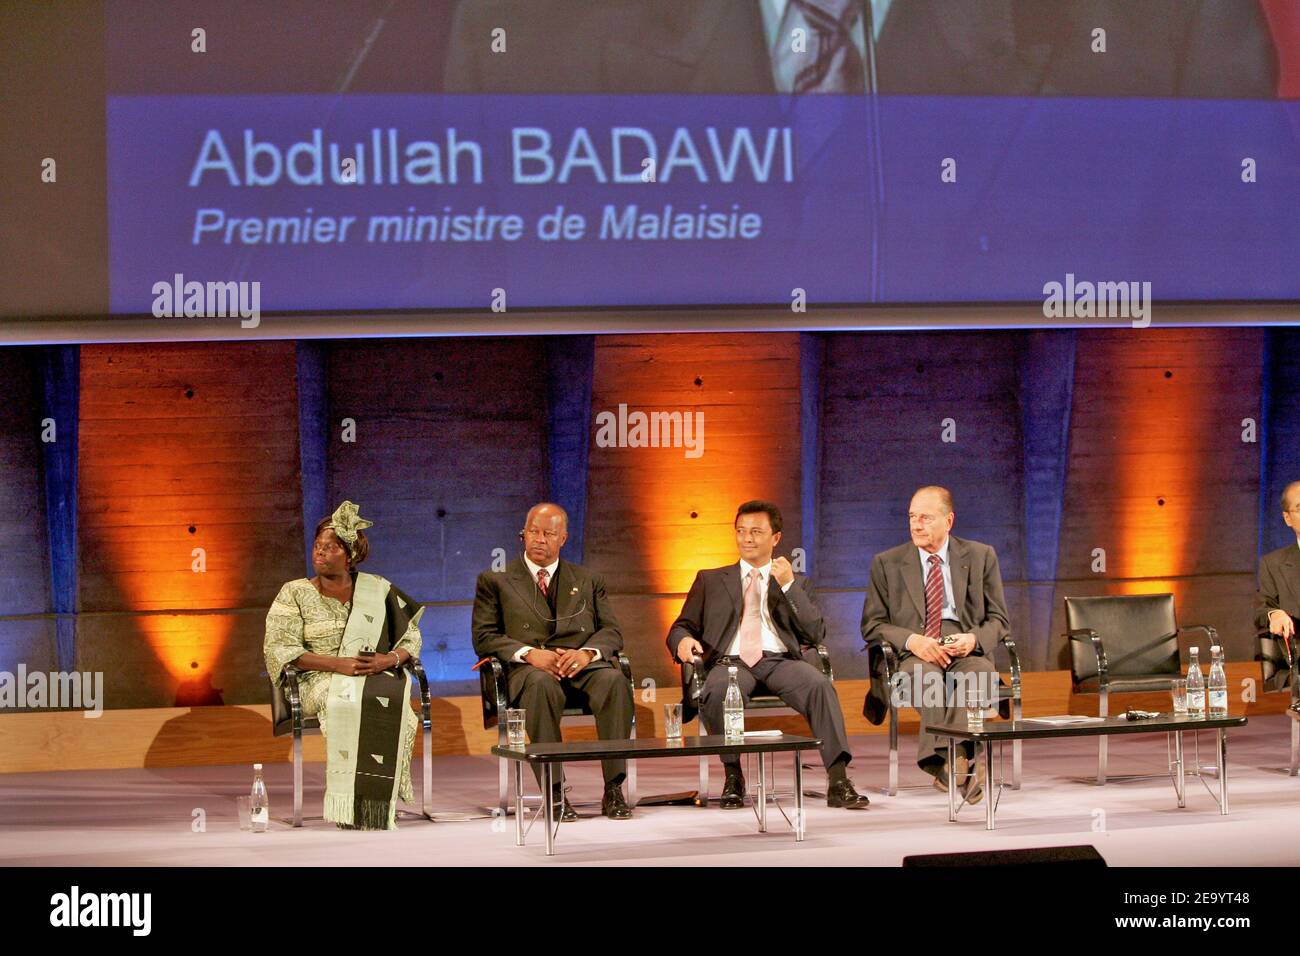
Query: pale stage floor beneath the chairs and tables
x=146 y=817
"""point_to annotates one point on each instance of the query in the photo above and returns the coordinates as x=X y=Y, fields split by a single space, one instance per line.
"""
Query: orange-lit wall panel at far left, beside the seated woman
x=175 y=438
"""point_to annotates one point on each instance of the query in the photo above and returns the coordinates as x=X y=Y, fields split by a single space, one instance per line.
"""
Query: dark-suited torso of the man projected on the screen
x=926 y=47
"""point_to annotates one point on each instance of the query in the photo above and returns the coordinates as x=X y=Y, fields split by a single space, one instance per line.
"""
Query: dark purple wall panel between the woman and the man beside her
x=449 y=453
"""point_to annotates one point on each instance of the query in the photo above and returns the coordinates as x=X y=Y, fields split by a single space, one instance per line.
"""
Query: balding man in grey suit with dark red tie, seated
x=939 y=602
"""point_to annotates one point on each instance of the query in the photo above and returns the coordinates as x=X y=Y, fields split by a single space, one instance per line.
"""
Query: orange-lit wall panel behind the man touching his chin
x=657 y=517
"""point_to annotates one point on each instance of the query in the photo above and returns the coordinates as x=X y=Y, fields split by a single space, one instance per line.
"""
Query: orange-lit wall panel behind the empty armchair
x=1160 y=478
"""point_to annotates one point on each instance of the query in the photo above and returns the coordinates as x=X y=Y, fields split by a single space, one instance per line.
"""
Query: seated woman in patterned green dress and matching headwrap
x=350 y=635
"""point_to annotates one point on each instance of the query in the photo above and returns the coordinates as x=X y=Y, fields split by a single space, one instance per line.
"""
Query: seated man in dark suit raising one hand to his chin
x=757 y=617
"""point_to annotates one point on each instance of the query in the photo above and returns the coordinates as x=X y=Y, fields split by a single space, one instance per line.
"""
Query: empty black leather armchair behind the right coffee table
x=1124 y=644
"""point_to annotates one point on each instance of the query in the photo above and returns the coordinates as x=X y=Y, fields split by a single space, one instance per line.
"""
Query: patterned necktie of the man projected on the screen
x=824 y=58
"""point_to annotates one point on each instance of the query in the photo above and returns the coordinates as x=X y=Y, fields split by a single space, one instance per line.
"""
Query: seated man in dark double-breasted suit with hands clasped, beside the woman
x=551 y=624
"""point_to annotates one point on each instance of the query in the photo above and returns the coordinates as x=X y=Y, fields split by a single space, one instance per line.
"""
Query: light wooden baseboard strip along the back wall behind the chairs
x=241 y=734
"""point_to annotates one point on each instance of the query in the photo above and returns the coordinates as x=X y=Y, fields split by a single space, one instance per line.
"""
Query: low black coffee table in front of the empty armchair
x=1029 y=729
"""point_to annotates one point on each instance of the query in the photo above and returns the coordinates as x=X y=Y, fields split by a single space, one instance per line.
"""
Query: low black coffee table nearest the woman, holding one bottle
x=548 y=756
